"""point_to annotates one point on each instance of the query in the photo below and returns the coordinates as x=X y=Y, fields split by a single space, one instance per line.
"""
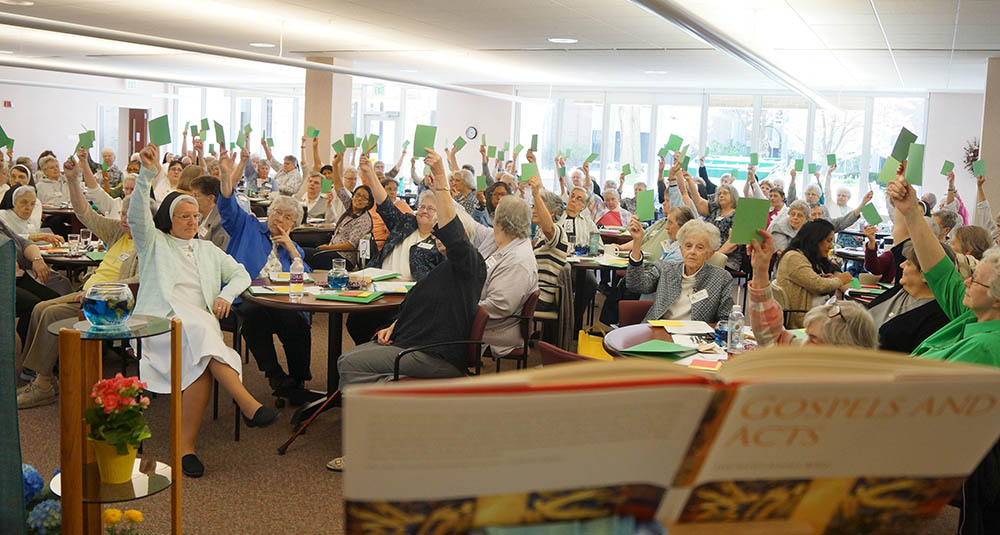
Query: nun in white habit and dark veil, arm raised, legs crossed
x=181 y=276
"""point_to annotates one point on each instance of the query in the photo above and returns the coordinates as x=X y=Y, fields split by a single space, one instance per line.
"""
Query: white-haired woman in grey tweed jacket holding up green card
x=688 y=290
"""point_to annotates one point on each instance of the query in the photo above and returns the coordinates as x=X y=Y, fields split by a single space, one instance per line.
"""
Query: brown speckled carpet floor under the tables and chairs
x=248 y=488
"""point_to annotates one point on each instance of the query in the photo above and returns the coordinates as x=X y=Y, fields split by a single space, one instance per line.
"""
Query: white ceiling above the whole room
x=834 y=45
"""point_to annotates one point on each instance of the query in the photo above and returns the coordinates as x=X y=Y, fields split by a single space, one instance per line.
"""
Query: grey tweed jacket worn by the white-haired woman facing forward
x=664 y=278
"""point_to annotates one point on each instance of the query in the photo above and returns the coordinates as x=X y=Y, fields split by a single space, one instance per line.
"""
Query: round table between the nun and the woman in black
x=335 y=327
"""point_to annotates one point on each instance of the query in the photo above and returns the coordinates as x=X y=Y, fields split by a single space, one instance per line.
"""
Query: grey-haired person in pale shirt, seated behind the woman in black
x=511 y=274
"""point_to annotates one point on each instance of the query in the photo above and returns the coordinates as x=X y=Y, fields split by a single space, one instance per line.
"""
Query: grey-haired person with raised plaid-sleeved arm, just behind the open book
x=843 y=323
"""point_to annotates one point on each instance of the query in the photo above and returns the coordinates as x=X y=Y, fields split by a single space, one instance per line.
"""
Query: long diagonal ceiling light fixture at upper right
x=672 y=12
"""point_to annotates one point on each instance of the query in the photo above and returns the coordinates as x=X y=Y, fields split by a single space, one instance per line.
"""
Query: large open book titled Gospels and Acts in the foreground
x=800 y=440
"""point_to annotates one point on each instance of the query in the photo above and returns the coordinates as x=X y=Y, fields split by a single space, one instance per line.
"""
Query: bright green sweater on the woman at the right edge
x=963 y=339
